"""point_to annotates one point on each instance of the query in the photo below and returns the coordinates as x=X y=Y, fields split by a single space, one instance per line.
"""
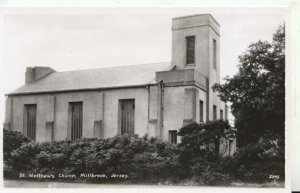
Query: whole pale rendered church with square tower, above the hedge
x=154 y=99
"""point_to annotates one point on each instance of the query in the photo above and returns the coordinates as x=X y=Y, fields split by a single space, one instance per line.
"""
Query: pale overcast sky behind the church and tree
x=73 y=39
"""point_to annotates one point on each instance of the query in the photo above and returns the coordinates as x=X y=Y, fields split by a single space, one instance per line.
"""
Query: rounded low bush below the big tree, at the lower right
x=256 y=162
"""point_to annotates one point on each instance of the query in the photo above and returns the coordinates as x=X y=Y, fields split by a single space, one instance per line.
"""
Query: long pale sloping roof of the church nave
x=100 y=78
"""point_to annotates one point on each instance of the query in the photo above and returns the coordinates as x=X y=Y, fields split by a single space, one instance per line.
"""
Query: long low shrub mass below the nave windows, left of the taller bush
x=144 y=160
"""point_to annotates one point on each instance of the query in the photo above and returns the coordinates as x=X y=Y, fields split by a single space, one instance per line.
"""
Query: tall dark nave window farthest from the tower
x=30 y=121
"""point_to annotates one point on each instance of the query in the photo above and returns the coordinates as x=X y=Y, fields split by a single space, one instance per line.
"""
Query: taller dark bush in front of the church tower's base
x=197 y=153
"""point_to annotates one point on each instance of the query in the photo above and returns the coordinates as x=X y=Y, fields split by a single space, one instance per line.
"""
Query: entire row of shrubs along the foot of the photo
x=144 y=160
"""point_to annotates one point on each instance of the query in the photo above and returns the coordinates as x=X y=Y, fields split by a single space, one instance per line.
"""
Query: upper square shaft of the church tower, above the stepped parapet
x=195 y=44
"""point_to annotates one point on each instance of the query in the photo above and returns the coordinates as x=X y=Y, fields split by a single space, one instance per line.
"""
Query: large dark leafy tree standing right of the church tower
x=257 y=91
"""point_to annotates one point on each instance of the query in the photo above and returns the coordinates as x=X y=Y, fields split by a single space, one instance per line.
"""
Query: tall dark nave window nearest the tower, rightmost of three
x=127 y=116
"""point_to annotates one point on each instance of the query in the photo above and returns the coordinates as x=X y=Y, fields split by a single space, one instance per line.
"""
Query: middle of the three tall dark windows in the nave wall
x=76 y=120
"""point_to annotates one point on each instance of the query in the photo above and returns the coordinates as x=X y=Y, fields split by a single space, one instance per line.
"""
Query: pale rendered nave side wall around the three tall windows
x=54 y=108
